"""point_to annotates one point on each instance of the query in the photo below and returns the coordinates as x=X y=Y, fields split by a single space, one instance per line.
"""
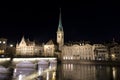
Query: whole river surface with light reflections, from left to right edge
x=47 y=71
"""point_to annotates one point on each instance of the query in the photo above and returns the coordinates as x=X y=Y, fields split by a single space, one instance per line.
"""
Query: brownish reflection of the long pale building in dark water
x=78 y=72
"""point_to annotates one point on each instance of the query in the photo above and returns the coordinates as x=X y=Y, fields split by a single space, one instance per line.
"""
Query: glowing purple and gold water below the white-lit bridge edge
x=28 y=70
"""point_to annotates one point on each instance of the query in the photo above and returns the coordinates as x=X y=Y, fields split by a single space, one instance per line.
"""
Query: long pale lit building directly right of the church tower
x=77 y=52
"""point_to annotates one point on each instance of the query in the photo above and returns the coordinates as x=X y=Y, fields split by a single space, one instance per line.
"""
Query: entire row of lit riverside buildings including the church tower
x=70 y=51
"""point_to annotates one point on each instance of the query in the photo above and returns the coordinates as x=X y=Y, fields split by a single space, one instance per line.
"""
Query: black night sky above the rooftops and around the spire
x=93 y=20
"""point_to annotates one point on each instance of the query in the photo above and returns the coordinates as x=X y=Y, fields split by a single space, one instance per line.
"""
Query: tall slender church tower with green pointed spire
x=60 y=33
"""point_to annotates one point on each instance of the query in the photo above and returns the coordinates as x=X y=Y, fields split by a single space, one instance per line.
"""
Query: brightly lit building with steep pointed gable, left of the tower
x=27 y=47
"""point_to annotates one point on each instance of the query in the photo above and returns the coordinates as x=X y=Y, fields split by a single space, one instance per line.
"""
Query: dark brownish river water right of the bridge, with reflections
x=88 y=72
